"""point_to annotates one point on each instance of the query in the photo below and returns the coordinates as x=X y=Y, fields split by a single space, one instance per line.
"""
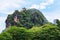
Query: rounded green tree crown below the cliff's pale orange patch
x=19 y=33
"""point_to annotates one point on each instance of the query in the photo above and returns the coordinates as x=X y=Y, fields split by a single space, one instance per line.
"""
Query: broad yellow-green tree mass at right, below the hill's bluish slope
x=47 y=32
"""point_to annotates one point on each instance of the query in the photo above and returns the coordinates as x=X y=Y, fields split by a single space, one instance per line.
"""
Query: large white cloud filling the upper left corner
x=6 y=5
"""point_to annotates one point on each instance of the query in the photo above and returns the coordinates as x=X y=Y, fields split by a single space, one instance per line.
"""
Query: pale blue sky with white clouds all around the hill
x=49 y=8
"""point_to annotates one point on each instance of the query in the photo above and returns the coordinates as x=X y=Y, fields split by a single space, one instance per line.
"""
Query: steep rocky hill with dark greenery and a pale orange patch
x=26 y=18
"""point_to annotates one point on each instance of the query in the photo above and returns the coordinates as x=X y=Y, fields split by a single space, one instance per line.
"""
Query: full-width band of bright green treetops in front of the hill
x=45 y=32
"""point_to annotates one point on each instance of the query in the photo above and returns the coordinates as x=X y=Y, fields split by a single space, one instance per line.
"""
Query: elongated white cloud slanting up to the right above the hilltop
x=42 y=5
